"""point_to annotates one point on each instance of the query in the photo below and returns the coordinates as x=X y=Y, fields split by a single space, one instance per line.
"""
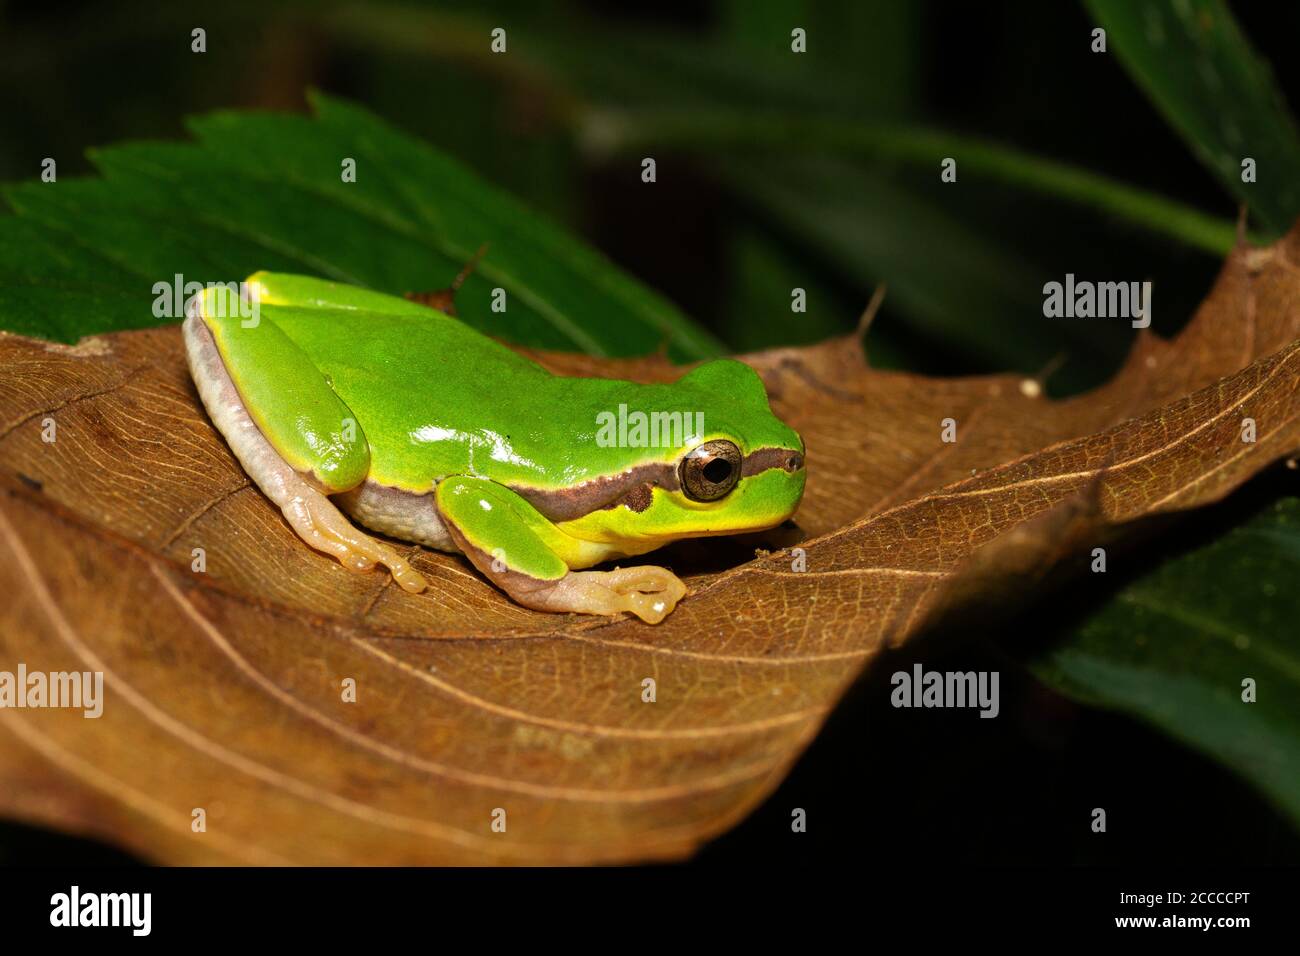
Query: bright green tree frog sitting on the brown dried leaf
x=341 y=401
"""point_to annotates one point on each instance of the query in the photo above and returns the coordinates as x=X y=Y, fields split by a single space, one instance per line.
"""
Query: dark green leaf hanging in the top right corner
x=1198 y=68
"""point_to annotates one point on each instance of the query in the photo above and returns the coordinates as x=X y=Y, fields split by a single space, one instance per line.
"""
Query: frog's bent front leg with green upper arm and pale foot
x=530 y=559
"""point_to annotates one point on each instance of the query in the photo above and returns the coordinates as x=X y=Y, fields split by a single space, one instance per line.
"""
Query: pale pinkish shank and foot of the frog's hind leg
x=301 y=498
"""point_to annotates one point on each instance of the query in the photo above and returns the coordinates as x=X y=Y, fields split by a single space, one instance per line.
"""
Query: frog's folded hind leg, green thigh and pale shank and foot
x=315 y=439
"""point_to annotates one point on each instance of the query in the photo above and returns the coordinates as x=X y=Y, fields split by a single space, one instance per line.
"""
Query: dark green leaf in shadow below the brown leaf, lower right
x=1175 y=647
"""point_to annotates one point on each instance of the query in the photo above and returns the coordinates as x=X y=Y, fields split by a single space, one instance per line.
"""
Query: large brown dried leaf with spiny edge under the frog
x=224 y=689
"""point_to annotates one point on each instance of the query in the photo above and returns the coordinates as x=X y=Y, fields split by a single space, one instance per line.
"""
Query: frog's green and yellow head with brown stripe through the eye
x=734 y=469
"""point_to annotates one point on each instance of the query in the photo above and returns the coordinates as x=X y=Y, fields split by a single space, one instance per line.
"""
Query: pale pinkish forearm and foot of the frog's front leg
x=649 y=592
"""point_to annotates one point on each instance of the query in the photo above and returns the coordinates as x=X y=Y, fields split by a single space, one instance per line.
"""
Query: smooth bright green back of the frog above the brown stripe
x=435 y=397
